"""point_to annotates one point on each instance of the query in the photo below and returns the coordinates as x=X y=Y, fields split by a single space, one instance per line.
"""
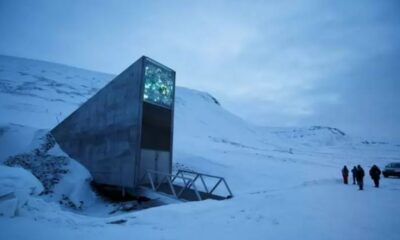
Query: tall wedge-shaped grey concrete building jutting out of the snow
x=105 y=134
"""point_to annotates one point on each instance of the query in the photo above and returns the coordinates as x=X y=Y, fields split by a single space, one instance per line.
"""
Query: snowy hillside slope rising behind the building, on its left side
x=43 y=92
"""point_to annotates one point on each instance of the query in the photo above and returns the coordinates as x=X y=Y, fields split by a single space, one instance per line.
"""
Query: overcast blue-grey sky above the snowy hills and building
x=274 y=63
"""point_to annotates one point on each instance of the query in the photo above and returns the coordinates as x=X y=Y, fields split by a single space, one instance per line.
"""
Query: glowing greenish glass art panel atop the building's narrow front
x=158 y=84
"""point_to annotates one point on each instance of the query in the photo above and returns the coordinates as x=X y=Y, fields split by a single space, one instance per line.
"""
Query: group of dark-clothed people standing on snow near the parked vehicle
x=358 y=175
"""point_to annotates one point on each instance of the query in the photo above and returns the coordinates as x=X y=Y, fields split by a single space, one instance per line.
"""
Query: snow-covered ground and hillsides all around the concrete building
x=286 y=181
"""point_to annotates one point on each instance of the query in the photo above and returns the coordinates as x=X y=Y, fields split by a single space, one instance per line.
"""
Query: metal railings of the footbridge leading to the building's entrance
x=188 y=180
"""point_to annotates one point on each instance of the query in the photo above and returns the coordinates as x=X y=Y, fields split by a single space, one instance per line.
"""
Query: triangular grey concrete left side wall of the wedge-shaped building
x=104 y=133
